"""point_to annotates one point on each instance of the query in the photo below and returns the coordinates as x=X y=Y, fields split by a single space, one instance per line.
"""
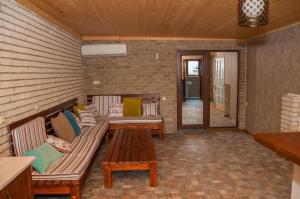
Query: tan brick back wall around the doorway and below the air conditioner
x=139 y=72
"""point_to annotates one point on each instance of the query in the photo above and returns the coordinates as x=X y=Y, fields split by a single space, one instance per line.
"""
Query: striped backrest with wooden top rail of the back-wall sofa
x=150 y=102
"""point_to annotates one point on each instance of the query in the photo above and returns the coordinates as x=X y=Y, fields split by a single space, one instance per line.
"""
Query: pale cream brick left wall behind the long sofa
x=39 y=64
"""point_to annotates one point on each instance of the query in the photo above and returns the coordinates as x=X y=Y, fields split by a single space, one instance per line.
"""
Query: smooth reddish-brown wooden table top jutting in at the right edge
x=286 y=145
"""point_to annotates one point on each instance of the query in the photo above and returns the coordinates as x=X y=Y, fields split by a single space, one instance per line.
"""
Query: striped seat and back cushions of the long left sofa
x=71 y=165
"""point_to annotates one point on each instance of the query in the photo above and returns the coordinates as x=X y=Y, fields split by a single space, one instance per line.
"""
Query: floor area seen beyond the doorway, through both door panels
x=192 y=113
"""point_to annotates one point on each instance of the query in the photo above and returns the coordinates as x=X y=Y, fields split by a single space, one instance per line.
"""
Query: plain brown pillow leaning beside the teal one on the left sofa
x=63 y=128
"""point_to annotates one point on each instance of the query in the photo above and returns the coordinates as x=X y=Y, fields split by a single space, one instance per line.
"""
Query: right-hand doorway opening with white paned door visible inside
x=224 y=88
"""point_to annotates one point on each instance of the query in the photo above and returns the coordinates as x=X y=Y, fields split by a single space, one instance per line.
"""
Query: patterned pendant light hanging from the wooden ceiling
x=253 y=13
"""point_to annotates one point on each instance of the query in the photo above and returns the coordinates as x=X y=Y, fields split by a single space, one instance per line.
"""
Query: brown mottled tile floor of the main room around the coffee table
x=201 y=165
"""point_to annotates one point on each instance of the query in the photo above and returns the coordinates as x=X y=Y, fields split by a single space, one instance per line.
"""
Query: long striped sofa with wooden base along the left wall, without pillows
x=66 y=175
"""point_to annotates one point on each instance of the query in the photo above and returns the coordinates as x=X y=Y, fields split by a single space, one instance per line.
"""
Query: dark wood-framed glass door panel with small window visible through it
x=192 y=89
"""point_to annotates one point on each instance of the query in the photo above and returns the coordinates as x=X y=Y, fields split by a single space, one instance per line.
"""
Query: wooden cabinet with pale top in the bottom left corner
x=16 y=178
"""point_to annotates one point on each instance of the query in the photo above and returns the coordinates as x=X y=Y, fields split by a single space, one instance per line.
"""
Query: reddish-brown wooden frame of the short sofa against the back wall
x=156 y=128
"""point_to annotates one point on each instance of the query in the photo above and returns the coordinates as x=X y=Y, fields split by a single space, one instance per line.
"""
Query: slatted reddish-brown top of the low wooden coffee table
x=131 y=145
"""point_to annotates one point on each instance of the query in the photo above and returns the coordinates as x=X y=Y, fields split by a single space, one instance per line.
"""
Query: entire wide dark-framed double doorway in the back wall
x=207 y=89
